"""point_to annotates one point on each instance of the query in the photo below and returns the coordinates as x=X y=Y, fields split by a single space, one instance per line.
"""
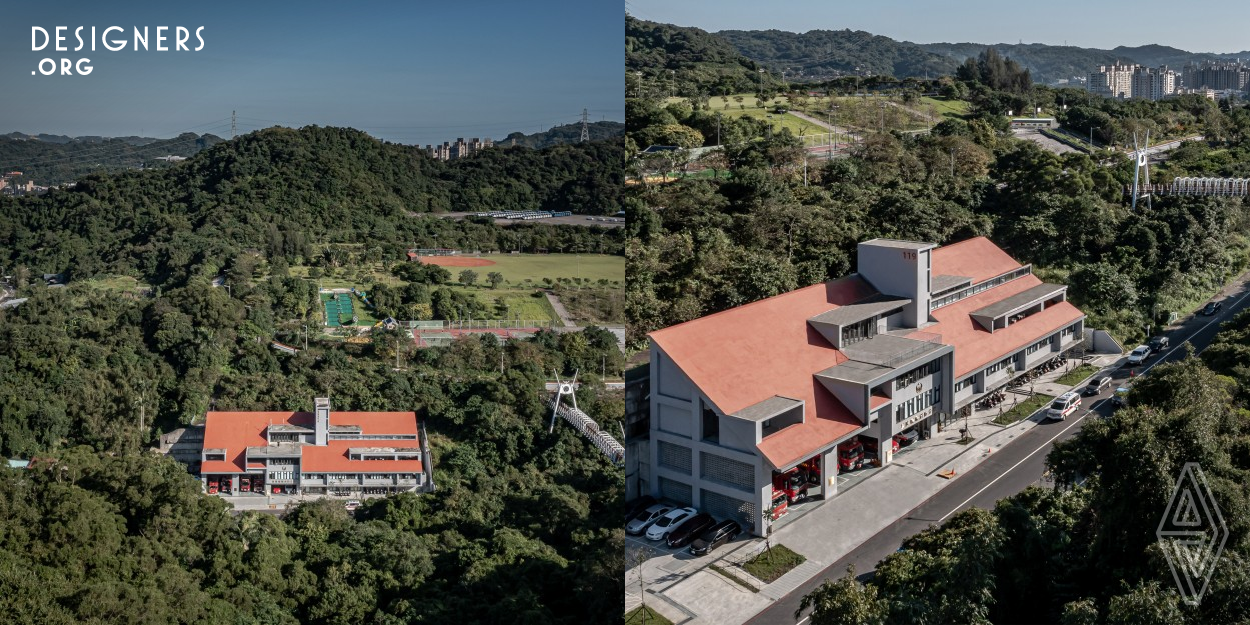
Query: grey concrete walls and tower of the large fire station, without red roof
x=892 y=379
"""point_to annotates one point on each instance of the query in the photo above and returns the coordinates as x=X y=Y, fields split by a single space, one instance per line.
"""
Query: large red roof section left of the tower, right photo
x=744 y=356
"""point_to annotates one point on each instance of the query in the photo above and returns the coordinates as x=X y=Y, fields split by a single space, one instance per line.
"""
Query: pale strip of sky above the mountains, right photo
x=1207 y=27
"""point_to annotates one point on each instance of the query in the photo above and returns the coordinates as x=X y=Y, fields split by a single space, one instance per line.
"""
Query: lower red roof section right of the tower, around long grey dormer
x=976 y=347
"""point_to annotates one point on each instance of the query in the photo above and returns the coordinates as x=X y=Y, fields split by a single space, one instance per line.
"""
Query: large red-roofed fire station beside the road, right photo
x=742 y=398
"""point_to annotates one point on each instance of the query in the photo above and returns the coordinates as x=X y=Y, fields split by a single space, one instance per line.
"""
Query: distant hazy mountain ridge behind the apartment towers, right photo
x=824 y=54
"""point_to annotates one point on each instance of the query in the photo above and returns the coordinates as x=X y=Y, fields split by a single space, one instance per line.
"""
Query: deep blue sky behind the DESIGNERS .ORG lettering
x=413 y=72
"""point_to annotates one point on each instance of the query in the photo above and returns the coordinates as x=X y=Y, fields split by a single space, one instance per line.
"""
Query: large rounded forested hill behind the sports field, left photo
x=281 y=192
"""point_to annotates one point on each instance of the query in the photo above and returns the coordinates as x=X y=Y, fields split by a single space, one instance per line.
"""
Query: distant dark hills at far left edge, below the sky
x=51 y=163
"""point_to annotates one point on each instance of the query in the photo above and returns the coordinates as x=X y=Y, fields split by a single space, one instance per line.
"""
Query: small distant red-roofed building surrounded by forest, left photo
x=318 y=453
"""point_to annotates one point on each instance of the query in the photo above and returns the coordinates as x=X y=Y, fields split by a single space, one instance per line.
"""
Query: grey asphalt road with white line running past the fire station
x=1009 y=472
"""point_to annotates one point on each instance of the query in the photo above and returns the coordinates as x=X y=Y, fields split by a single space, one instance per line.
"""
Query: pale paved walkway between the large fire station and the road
x=824 y=532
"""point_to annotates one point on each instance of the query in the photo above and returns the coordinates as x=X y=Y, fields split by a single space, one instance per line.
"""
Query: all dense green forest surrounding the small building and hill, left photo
x=102 y=531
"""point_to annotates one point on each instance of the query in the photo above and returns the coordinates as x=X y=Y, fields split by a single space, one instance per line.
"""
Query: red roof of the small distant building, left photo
x=237 y=432
